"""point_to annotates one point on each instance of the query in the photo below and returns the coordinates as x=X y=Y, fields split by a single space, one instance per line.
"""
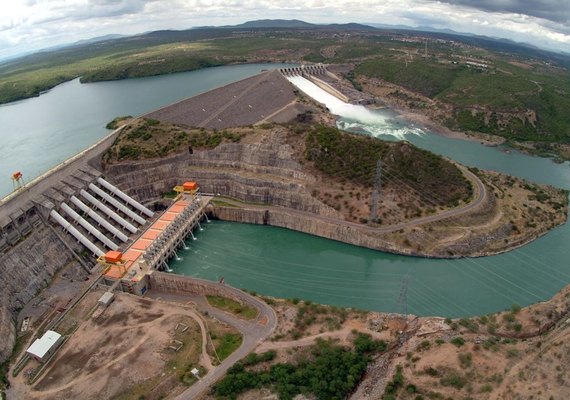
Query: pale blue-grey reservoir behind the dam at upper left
x=39 y=133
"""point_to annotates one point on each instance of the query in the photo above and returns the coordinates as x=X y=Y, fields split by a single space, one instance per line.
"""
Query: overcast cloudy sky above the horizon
x=27 y=25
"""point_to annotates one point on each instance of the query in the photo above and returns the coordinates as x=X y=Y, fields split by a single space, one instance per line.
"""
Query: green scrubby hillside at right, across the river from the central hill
x=525 y=102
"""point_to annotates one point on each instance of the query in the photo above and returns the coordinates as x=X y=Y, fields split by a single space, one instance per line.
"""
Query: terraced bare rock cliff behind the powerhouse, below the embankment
x=262 y=172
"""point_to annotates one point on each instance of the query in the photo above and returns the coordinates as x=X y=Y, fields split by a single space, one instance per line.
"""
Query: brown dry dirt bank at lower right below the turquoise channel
x=517 y=354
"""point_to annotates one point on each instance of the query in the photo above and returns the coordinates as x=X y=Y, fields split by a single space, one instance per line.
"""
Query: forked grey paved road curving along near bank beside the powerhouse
x=254 y=332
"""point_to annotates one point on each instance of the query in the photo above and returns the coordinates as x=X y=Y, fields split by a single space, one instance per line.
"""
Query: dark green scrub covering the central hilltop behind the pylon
x=354 y=157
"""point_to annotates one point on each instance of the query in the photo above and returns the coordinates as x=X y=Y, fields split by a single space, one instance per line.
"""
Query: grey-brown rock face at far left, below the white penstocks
x=27 y=268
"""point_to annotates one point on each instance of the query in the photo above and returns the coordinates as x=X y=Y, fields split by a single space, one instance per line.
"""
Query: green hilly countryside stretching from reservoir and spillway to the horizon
x=493 y=100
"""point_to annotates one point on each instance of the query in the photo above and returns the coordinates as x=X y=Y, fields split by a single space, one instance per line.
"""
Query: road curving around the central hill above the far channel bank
x=480 y=194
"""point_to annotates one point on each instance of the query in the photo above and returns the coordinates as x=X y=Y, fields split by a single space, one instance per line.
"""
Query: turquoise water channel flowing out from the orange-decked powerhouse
x=283 y=263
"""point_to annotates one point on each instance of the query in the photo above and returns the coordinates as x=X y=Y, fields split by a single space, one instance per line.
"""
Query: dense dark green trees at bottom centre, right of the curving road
x=328 y=371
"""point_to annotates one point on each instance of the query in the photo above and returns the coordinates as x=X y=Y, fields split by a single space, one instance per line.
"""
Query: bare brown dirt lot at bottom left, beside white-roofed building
x=124 y=353
